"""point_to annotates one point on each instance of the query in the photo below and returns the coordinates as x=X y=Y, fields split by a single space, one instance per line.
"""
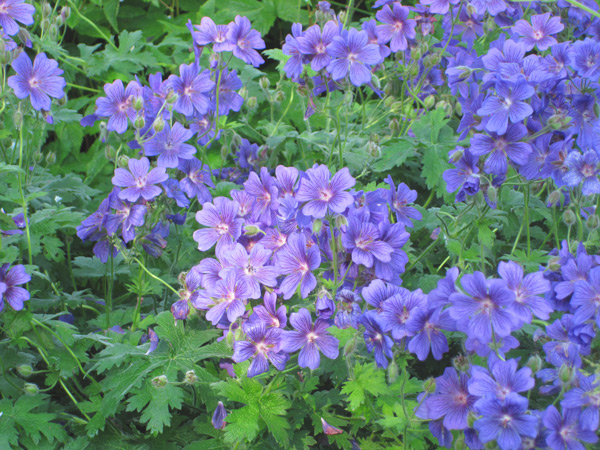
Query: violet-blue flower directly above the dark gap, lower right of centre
x=426 y=325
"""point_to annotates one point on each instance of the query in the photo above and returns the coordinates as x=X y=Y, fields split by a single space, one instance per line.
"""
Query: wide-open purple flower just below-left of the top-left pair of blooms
x=192 y=89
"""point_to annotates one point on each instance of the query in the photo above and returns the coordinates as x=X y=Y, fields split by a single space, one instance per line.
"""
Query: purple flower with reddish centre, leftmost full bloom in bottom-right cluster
x=451 y=400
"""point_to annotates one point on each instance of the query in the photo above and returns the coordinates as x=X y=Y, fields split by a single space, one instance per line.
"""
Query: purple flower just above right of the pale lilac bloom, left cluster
x=170 y=145
